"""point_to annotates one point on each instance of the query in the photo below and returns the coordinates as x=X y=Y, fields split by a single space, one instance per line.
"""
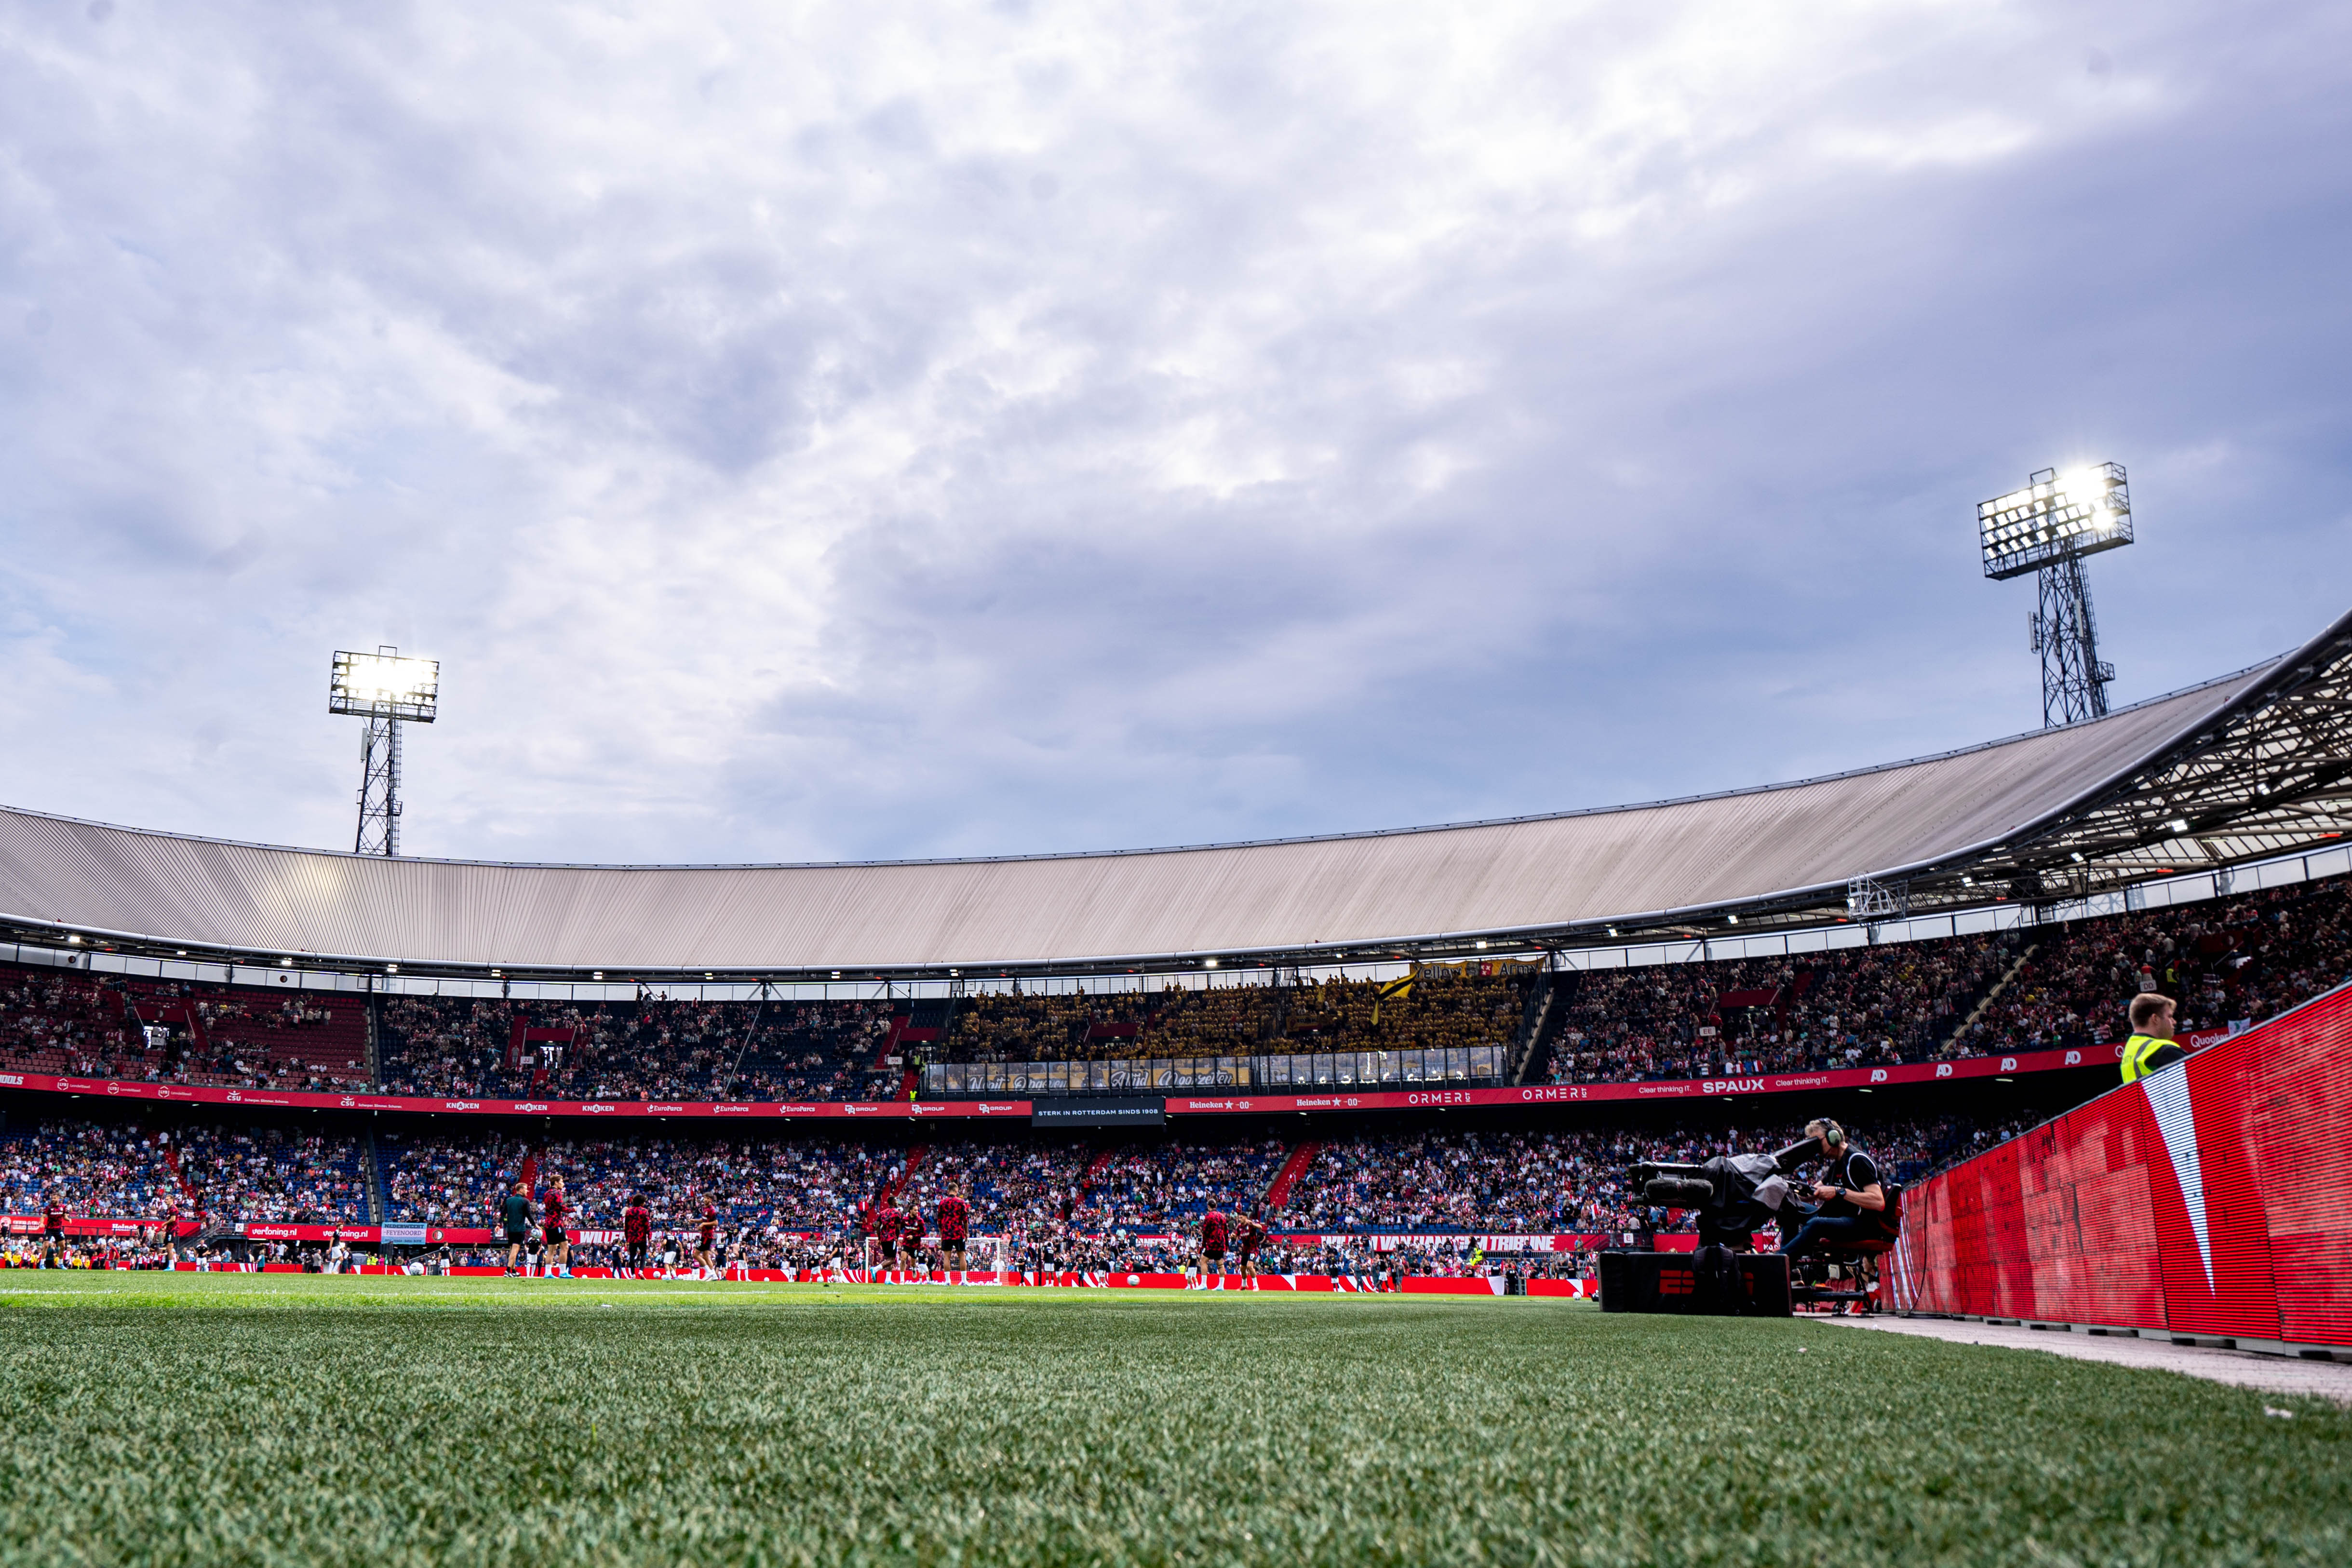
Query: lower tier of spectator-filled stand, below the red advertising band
x=1036 y=1188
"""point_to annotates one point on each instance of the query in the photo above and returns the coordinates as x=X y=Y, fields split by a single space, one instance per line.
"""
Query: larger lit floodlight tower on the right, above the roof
x=2050 y=528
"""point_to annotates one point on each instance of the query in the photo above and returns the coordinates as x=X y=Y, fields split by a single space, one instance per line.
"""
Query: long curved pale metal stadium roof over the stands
x=2240 y=768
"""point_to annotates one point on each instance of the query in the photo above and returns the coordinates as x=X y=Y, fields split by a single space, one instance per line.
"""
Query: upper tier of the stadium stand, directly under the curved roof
x=2238 y=958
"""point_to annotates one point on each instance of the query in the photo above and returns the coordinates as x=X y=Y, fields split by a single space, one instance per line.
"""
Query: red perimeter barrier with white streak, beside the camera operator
x=2207 y=1200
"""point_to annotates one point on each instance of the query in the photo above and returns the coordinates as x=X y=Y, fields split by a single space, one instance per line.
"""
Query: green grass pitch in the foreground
x=185 y=1419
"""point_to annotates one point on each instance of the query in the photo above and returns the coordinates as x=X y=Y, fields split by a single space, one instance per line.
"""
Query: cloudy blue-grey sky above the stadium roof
x=900 y=431
